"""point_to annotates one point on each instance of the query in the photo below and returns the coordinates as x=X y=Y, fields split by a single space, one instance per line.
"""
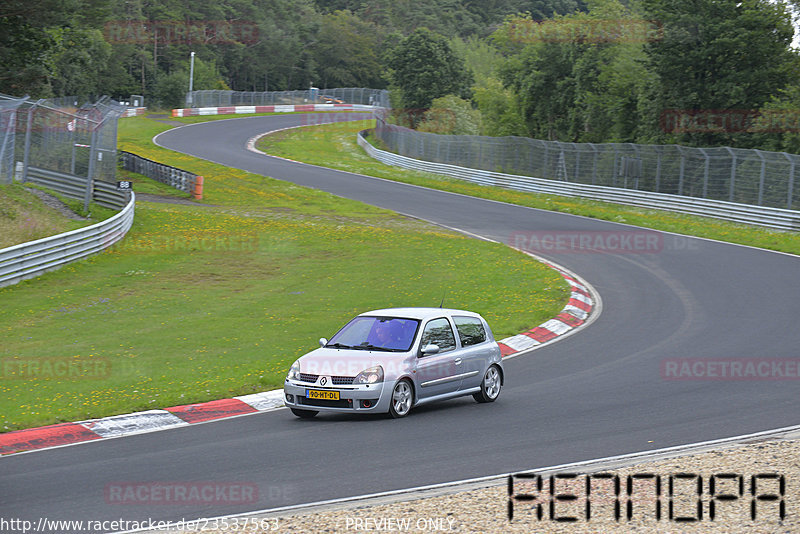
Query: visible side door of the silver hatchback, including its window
x=437 y=374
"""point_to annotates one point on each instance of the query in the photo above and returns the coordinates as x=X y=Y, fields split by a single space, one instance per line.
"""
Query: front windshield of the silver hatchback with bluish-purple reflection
x=393 y=334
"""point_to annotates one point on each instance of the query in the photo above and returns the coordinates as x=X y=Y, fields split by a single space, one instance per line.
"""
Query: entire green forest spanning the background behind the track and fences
x=694 y=72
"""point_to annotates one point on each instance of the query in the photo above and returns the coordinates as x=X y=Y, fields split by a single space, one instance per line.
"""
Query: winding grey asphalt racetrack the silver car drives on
x=600 y=392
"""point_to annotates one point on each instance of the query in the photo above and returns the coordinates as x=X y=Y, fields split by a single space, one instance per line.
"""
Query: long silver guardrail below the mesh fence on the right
x=743 y=213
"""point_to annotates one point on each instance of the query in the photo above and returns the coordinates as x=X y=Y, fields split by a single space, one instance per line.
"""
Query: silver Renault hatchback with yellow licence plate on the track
x=388 y=361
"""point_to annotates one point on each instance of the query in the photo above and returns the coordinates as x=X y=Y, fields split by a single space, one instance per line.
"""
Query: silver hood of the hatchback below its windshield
x=344 y=362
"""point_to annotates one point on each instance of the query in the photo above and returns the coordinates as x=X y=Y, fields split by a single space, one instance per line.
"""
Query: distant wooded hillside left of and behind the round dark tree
x=123 y=47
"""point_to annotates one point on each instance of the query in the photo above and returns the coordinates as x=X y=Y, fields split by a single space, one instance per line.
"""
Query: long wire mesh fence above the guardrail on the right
x=744 y=176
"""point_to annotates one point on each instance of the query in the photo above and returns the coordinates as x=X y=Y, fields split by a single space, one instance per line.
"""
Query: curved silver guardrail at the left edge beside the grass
x=28 y=260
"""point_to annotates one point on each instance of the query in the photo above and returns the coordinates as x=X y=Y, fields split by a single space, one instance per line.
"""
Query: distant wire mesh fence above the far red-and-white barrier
x=347 y=95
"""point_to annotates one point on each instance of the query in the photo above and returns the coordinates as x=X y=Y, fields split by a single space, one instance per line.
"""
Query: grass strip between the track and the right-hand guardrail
x=334 y=145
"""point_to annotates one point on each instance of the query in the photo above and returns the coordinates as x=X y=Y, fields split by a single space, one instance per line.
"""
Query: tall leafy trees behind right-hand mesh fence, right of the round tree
x=668 y=62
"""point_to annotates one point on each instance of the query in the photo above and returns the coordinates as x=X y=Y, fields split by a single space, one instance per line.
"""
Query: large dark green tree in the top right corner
x=719 y=55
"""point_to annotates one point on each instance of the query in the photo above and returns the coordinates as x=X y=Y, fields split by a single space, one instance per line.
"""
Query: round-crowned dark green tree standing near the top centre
x=423 y=67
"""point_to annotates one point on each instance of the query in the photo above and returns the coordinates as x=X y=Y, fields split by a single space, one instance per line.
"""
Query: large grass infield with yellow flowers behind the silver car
x=202 y=302
